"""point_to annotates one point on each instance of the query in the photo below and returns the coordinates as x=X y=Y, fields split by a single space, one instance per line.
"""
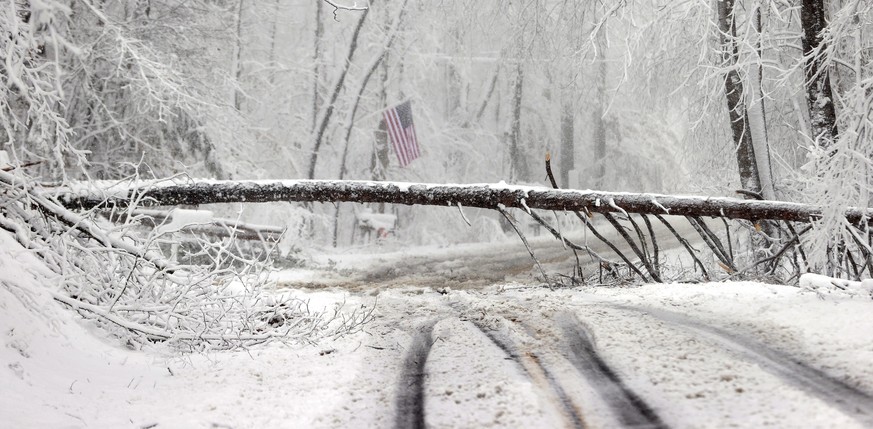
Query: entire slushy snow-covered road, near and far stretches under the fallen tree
x=467 y=337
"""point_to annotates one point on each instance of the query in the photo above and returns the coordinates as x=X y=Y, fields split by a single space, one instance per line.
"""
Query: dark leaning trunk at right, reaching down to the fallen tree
x=734 y=92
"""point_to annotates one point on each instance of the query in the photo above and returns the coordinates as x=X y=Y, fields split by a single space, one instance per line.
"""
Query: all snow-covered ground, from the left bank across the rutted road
x=504 y=354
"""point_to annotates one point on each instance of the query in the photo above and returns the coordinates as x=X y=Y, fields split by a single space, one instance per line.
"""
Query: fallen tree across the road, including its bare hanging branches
x=613 y=206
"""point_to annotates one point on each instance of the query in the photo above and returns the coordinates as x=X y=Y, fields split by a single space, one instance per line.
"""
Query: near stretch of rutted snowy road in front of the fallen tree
x=526 y=358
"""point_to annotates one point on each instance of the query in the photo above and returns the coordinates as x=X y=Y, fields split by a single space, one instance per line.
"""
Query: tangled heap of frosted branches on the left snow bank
x=121 y=279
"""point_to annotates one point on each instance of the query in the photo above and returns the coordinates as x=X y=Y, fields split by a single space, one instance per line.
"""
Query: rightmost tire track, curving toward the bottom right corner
x=850 y=400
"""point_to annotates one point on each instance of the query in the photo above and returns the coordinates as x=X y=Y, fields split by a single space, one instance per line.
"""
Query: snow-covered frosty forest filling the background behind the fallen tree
x=747 y=99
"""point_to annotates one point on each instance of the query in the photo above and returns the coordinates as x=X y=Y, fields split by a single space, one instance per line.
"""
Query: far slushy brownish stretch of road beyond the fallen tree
x=474 y=266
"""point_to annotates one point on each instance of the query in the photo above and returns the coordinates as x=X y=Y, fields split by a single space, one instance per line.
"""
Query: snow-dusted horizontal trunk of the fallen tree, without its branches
x=489 y=196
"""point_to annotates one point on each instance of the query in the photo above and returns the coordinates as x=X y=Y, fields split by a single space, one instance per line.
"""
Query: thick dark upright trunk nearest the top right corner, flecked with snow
x=819 y=96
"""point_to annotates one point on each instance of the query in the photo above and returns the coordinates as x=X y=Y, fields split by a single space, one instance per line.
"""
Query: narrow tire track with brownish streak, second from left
x=571 y=414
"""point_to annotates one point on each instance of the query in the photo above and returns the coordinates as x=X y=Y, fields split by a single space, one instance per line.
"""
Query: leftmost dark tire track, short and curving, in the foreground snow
x=410 y=392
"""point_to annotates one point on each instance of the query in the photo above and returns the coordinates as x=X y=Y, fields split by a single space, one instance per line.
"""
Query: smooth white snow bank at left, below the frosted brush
x=60 y=371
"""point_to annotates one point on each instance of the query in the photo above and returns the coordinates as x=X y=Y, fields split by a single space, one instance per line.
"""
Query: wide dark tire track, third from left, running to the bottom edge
x=629 y=408
